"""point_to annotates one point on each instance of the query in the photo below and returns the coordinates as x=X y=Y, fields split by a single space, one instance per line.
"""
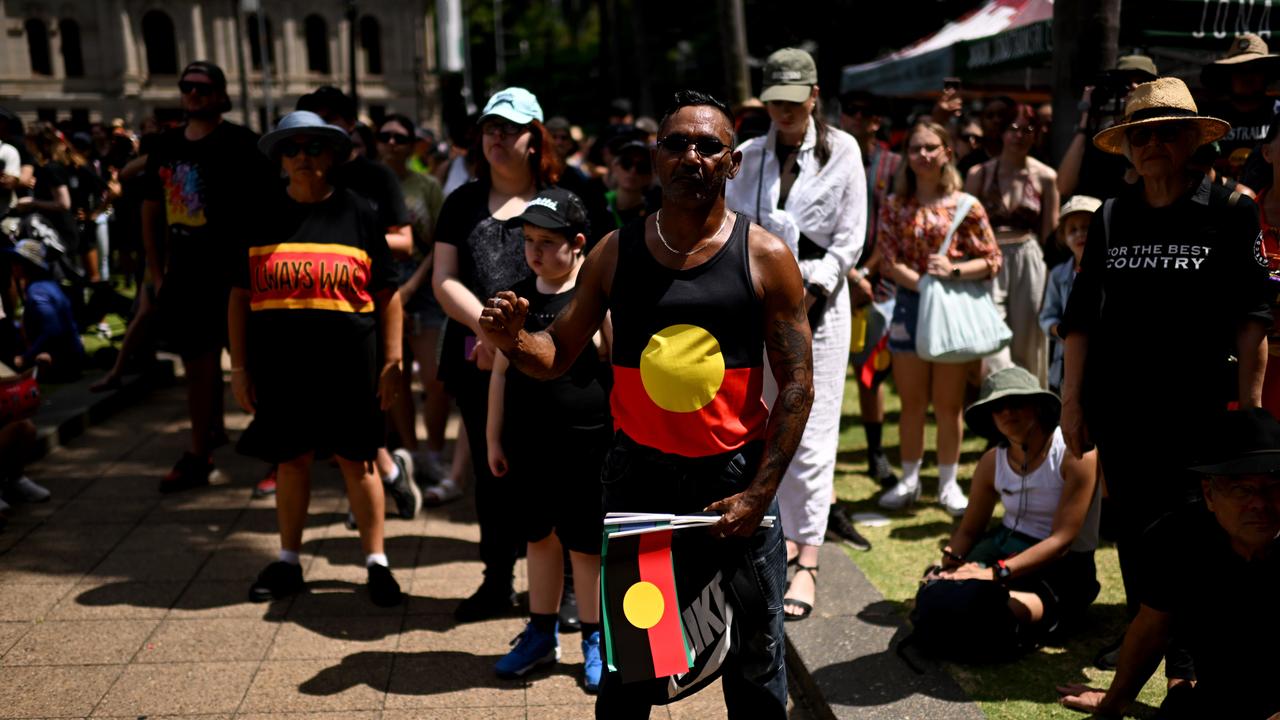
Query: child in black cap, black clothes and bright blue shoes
x=548 y=440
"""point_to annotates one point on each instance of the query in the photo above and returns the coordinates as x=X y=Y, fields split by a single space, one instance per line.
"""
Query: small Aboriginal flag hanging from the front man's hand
x=643 y=635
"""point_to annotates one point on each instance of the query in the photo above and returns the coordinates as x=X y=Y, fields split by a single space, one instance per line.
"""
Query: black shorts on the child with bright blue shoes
x=556 y=485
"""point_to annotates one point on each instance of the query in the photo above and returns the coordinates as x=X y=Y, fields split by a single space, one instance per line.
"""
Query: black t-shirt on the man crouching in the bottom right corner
x=1226 y=609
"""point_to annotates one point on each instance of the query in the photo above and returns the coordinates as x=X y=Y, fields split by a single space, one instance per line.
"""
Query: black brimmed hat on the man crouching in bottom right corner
x=1242 y=443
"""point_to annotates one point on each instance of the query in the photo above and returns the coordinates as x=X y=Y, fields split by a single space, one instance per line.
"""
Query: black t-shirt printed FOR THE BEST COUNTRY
x=1162 y=302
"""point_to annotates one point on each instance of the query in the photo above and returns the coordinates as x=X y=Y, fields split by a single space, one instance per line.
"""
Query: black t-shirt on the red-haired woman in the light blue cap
x=491 y=253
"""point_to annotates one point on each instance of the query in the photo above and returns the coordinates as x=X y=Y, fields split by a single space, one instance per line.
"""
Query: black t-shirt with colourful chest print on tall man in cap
x=211 y=189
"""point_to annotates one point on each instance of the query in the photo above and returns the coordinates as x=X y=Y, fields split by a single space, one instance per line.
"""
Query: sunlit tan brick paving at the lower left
x=117 y=603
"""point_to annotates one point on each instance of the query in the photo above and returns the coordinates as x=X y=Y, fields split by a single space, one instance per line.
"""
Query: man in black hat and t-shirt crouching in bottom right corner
x=1217 y=576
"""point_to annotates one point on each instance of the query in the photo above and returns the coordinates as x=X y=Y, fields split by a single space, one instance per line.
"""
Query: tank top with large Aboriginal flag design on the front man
x=688 y=350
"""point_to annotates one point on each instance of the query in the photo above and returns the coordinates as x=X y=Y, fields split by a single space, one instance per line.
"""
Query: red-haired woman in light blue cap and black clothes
x=477 y=256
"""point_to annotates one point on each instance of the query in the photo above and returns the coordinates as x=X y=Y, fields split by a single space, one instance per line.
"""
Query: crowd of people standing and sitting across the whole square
x=664 y=318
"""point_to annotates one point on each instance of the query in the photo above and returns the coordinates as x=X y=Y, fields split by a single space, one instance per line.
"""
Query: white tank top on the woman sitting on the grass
x=1031 y=503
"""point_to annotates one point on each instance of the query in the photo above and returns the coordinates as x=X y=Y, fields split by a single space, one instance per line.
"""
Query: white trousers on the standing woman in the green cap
x=804 y=496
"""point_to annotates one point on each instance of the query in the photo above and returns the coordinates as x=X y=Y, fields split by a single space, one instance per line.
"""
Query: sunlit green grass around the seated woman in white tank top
x=1017 y=691
